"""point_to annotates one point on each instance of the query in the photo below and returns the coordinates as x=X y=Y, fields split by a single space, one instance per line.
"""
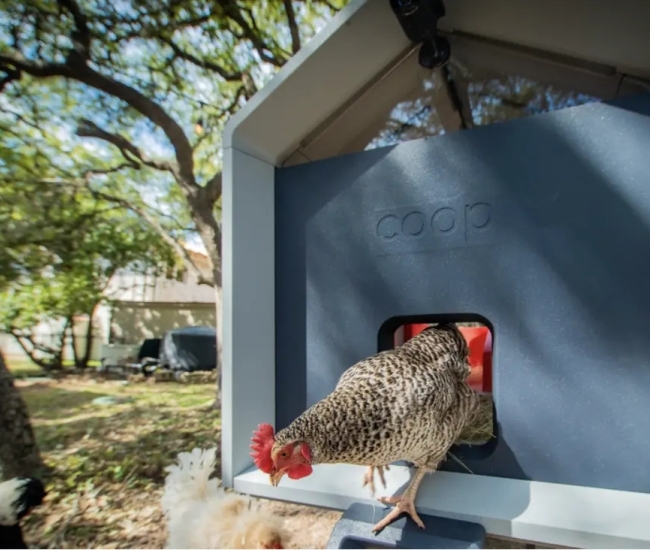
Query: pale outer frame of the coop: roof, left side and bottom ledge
x=331 y=99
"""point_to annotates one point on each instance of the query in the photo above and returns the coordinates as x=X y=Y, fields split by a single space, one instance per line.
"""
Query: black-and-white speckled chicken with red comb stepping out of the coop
x=410 y=403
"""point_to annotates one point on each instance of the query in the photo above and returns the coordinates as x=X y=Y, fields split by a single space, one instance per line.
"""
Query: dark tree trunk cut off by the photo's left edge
x=19 y=455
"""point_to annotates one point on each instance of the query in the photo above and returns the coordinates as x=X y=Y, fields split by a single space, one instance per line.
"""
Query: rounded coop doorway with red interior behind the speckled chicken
x=479 y=334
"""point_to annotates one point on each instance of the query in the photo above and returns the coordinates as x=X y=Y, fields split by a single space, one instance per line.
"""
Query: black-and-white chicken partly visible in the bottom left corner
x=17 y=498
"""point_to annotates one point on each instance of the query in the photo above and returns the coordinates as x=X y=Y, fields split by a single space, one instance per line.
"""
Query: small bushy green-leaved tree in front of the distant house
x=73 y=269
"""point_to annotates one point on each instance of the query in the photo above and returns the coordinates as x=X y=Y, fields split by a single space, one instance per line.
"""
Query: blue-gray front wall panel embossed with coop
x=540 y=225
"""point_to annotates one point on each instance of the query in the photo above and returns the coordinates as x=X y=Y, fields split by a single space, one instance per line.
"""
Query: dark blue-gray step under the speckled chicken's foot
x=353 y=530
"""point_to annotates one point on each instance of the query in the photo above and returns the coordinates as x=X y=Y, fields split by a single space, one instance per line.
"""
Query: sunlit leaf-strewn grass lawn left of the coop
x=108 y=460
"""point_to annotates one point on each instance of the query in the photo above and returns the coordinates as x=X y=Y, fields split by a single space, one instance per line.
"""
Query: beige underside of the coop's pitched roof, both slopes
x=588 y=46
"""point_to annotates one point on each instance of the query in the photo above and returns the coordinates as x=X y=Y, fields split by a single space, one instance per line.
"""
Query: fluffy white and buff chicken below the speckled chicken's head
x=201 y=514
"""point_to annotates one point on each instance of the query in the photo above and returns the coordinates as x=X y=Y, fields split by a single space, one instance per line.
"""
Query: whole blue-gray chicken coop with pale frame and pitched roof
x=493 y=170
